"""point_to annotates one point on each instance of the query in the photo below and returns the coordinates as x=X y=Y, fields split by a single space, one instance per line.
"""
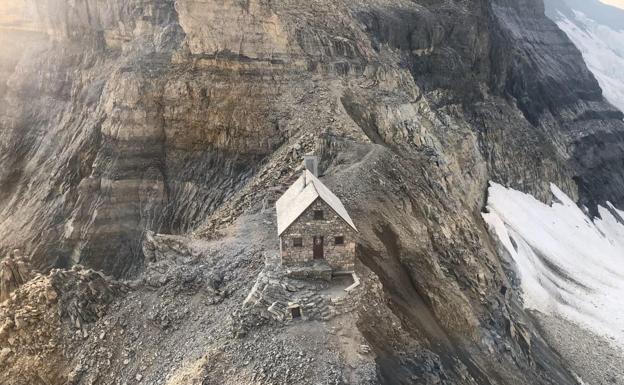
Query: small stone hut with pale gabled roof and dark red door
x=314 y=227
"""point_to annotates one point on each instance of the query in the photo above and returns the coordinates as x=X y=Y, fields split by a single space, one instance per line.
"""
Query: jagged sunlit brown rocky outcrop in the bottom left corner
x=47 y=315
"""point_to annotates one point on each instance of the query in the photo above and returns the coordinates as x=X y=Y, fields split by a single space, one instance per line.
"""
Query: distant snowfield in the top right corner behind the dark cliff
x=603 y=51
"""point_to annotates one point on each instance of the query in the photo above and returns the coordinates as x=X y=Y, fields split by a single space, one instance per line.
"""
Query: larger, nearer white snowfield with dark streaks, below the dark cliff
x=569 y=266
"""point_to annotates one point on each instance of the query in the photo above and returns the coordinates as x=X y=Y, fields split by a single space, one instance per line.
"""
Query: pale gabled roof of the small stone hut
x=301 y=195
